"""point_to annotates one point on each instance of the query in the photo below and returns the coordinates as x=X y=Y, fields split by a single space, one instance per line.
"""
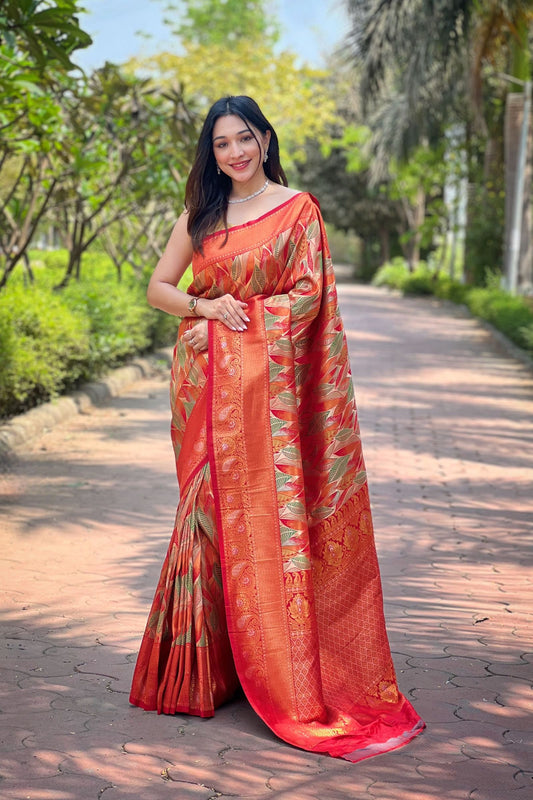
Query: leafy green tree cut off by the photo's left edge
x=34 y=34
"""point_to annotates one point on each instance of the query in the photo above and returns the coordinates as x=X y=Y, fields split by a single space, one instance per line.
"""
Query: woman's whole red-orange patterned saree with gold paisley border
x=271 y=579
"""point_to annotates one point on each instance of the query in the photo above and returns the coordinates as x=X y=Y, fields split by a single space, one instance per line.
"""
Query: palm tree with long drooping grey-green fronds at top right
x=429 y=63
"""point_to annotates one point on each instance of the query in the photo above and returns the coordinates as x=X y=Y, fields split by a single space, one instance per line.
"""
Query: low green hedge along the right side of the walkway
x=512 y=315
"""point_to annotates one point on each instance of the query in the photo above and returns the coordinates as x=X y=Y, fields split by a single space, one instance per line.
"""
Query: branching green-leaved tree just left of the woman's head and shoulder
x=124 y=136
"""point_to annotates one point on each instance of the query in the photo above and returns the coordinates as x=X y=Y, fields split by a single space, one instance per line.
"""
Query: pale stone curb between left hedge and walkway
x=24 y=427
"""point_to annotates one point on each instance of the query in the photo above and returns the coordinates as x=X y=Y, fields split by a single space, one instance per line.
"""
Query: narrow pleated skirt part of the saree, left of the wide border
x=185 y=662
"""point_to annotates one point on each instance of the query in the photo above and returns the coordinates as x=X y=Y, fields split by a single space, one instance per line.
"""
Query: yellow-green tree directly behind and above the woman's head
x=235 y=54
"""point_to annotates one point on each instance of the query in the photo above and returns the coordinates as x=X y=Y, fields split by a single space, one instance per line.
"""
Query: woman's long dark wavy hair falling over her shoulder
x=207 y=192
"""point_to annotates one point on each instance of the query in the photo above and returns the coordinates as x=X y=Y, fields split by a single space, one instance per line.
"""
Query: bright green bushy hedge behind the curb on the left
x=51 y=341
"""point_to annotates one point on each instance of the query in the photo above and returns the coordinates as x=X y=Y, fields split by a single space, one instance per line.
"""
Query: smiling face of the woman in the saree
x=237 y=152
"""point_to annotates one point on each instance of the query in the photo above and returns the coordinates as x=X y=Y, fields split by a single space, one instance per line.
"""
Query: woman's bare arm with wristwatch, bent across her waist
x=163 y=292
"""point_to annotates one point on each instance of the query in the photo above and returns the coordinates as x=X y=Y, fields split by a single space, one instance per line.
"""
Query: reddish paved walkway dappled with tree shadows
x=446 y=419
